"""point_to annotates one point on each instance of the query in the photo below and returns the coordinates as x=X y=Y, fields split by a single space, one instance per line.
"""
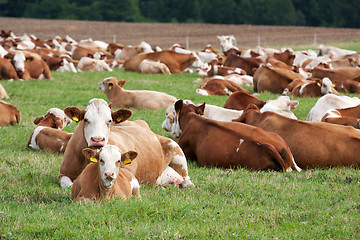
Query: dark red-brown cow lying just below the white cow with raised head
x=249 y=65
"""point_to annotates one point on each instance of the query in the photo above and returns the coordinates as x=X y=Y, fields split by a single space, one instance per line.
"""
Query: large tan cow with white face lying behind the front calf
x=160 y=160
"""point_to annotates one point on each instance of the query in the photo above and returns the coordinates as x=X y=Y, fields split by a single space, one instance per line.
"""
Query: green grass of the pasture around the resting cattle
x=224 y=204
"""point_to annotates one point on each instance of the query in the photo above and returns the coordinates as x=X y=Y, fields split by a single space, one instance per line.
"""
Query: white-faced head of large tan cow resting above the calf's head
x=97 y=118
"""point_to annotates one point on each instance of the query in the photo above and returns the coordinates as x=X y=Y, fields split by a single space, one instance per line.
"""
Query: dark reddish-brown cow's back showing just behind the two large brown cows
x=240 y=100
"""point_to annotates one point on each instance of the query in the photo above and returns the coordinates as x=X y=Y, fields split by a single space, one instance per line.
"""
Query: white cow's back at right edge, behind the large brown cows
x=330 y=101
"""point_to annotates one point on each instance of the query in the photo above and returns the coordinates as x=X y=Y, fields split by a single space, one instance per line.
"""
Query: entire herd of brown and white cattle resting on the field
x=108 y=156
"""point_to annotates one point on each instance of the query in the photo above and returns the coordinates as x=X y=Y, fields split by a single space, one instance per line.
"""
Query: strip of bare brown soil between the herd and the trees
x=166 y=34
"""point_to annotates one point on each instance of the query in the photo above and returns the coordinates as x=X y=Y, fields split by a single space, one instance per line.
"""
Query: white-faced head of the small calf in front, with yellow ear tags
x=110 y=161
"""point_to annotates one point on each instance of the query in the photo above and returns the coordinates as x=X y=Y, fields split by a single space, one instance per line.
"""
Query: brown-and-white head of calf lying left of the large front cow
x=54 y=118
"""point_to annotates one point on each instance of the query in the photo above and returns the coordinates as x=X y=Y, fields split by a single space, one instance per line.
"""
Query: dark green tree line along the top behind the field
x=325 y=13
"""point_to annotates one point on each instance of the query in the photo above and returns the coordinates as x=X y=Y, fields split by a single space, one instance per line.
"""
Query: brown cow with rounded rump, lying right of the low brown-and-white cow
x=273 y=79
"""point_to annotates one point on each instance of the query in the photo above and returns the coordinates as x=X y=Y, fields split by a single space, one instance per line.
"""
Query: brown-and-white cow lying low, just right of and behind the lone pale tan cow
x=219 y=87
